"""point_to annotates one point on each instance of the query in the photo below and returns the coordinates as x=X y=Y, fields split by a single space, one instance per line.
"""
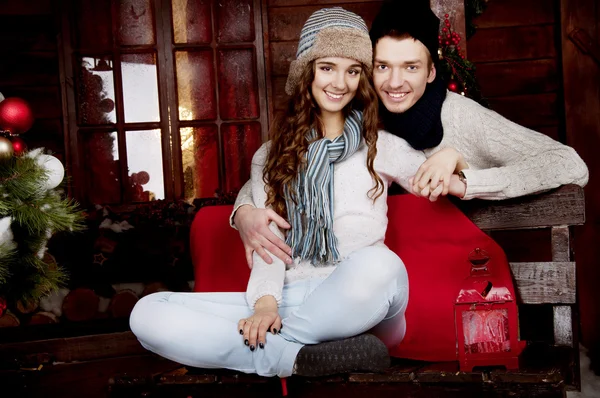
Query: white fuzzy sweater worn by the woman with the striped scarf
x=358 y=222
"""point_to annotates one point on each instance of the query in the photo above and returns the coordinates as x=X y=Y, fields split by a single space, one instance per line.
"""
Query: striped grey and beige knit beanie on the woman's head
x=330 y=32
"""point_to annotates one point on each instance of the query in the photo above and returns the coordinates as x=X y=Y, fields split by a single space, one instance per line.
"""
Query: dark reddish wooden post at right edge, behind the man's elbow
x=581 y=82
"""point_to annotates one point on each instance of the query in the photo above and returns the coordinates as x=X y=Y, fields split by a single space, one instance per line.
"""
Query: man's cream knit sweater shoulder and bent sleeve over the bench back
x=505 y=159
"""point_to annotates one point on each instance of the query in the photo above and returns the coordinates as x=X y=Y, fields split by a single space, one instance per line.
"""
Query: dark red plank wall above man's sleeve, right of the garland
x=516 y=52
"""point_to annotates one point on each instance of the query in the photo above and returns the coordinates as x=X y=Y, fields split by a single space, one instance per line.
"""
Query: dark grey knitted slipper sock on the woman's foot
x=363 y=353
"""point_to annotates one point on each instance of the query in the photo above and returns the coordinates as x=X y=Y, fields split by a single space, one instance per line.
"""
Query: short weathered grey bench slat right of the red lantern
x=549 y=282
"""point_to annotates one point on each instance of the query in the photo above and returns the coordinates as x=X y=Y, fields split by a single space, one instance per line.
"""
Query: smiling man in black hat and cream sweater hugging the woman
x=503 y=159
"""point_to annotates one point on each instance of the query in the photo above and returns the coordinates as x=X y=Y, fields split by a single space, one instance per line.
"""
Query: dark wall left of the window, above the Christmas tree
x=29 y=67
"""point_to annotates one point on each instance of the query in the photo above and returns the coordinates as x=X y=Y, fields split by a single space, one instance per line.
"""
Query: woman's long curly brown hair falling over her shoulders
x=289 y=131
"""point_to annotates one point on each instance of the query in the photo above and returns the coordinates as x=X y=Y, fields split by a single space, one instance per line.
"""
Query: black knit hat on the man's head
x=412 y=17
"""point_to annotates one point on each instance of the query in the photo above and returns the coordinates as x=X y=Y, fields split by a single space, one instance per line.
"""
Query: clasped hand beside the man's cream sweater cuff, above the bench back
x=436 y=172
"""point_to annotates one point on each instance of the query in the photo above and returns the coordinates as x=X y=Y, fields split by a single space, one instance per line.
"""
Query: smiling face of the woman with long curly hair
x=335 y=83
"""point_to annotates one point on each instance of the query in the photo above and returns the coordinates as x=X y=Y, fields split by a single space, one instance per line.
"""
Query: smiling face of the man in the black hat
x=401 y=72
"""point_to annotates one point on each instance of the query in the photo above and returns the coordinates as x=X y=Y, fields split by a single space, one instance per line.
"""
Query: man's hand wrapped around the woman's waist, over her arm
x=253 y=225
